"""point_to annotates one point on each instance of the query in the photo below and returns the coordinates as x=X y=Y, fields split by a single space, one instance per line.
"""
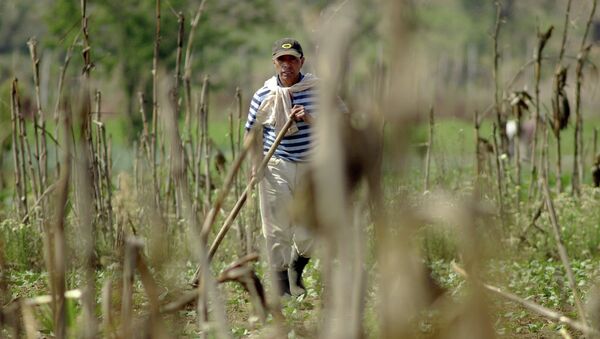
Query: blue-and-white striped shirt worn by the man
x=296 y=147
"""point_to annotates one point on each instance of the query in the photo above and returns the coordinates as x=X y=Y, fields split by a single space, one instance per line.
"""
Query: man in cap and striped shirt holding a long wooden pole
x=287 y=94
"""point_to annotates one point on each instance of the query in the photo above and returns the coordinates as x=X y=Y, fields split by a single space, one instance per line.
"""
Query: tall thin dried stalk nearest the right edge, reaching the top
x=581 y=58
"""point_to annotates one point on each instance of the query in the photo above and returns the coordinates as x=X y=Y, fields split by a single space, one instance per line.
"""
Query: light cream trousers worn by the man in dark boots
x=276 y=193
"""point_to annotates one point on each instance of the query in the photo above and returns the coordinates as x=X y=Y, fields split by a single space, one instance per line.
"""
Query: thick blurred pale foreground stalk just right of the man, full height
x=343 y=317
